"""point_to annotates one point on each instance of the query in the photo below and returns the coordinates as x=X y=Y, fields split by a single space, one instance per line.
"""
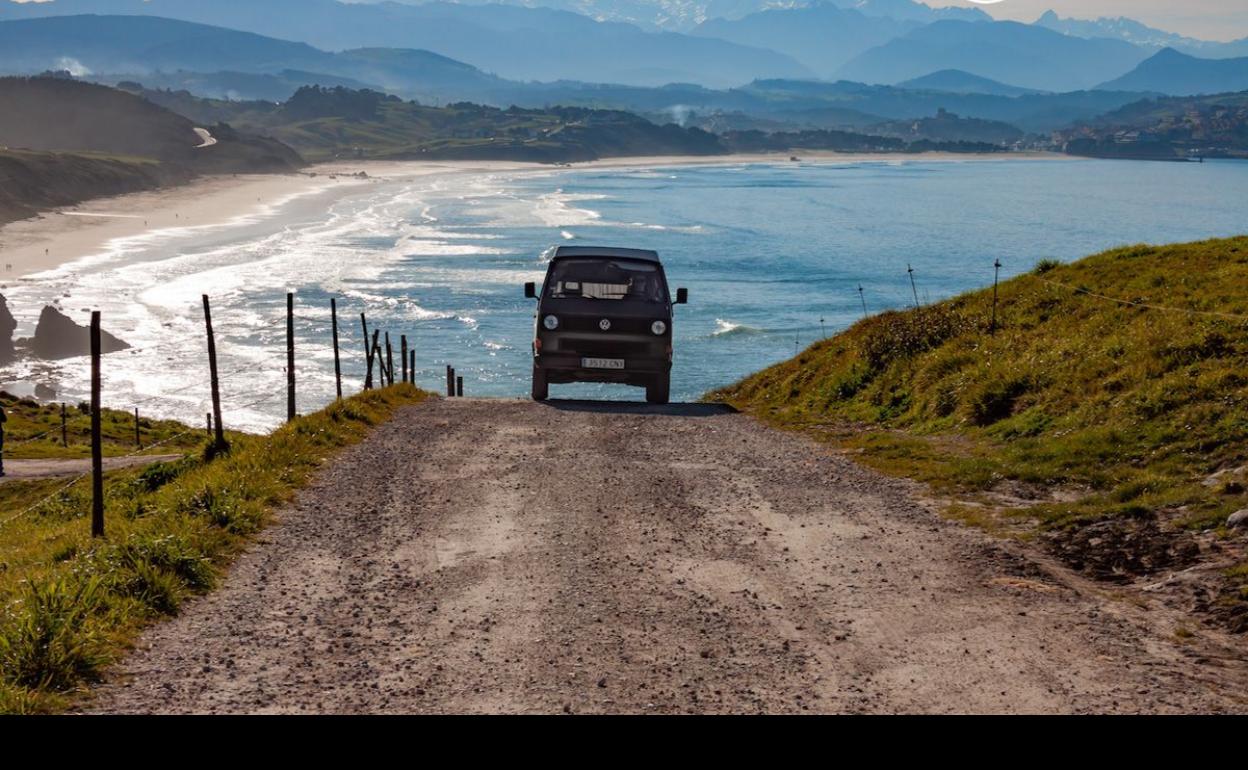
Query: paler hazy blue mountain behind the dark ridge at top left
x=520 y=43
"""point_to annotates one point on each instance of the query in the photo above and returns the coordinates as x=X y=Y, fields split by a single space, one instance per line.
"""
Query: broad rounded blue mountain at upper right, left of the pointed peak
x=1019 y=54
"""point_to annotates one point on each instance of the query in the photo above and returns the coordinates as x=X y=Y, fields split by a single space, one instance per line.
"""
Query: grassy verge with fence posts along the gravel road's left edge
x=71 y=605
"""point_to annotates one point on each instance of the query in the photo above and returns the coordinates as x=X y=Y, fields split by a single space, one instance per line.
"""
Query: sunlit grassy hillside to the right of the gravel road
x=1108 y=417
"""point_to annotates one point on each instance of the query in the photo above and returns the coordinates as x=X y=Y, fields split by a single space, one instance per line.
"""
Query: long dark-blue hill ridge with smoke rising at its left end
x=214 y=62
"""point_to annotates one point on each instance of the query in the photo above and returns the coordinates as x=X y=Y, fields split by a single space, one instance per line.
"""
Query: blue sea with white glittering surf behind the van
x=773 y=256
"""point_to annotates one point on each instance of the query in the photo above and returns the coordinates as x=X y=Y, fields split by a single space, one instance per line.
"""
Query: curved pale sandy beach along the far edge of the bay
x=63 y=236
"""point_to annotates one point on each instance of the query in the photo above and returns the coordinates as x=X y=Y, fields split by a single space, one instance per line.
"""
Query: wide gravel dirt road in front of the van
x=486 y=556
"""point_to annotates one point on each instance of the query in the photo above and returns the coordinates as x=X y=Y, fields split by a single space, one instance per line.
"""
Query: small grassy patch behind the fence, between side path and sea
x=34 y=432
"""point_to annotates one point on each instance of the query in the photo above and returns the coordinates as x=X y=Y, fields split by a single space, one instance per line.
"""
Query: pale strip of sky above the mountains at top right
x=1205 y=19
